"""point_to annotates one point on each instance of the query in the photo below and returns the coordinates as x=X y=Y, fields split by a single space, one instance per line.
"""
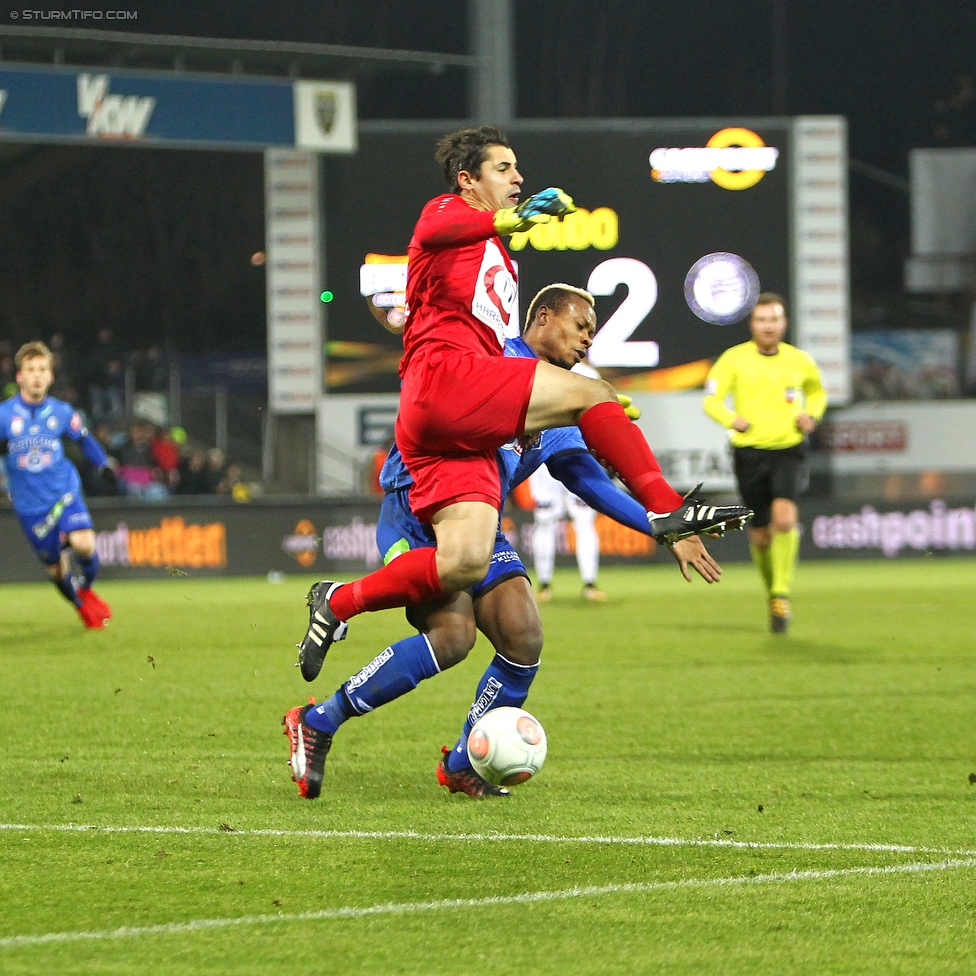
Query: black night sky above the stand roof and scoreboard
x=884 y=65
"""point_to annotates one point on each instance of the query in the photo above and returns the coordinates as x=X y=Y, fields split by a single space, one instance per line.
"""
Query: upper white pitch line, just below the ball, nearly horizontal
x=510 y=838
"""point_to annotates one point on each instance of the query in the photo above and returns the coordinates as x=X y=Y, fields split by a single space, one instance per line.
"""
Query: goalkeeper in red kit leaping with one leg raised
x=462 y=398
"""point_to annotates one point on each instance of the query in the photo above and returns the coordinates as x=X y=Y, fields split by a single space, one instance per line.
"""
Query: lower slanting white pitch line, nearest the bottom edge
x=589 y=891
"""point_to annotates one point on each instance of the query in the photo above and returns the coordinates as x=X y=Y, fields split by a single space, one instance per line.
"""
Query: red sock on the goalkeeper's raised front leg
x=617 y=441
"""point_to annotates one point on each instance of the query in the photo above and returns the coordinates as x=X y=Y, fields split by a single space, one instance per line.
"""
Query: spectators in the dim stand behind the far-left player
x=149 y=460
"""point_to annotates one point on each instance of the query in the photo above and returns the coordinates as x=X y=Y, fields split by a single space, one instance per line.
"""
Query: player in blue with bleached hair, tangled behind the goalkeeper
x=561 y=324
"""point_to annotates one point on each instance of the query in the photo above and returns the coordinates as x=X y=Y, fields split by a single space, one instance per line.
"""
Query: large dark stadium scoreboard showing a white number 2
x=681 y=223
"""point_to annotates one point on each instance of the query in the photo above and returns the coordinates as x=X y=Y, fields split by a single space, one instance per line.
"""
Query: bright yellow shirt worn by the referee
x=769 y=391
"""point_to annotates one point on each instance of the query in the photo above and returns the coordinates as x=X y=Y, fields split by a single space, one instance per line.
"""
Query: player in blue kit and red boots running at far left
x=44 y=485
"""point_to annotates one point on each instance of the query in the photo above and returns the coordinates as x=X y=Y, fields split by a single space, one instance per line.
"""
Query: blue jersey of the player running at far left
x=38 y=473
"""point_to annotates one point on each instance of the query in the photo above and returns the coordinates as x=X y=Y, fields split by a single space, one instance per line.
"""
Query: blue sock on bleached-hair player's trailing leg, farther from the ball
x=399 y=669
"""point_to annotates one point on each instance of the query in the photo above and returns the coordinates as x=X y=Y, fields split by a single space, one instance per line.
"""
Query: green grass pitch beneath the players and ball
x=670 y=710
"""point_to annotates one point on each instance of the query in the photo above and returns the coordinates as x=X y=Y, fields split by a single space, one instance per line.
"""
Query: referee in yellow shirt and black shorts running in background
x=777 y=400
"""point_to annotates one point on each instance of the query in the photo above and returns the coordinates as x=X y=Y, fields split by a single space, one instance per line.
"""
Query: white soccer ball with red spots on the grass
x=507 y=746
